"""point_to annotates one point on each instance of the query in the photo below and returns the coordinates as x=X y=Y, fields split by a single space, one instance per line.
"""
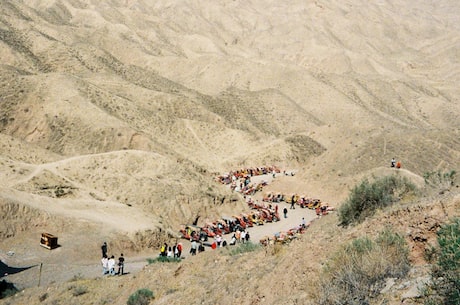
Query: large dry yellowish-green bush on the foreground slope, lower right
x=357 y=272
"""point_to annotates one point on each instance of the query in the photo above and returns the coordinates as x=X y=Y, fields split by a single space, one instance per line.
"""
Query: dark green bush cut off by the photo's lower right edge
x=446 y=272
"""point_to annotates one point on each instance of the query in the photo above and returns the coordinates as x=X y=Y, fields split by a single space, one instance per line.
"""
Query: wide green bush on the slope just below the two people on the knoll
x=365 y=198
